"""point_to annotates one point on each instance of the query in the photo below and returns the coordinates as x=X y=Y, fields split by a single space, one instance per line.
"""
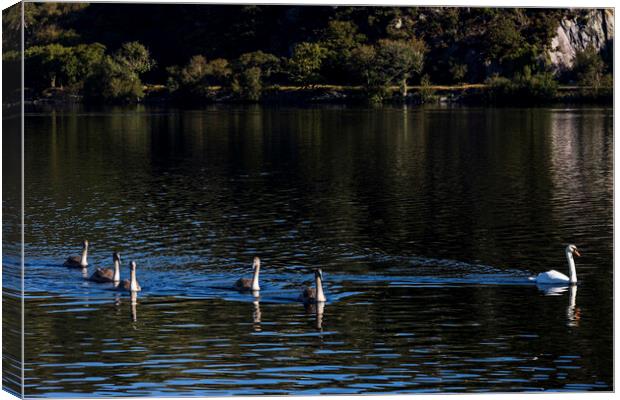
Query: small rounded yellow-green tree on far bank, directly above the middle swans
x=305 y=64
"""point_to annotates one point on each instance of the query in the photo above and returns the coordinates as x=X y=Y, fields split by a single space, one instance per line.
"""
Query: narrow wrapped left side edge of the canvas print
x=12 y=201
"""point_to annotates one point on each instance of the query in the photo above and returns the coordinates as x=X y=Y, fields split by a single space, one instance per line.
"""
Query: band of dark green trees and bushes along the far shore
x=379 y=47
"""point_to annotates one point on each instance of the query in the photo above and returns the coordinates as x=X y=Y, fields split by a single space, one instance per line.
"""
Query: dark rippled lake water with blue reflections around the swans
x=427 y=223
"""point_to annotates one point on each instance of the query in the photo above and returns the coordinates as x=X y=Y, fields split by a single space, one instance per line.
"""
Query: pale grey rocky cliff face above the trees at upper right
x=595 y=28
